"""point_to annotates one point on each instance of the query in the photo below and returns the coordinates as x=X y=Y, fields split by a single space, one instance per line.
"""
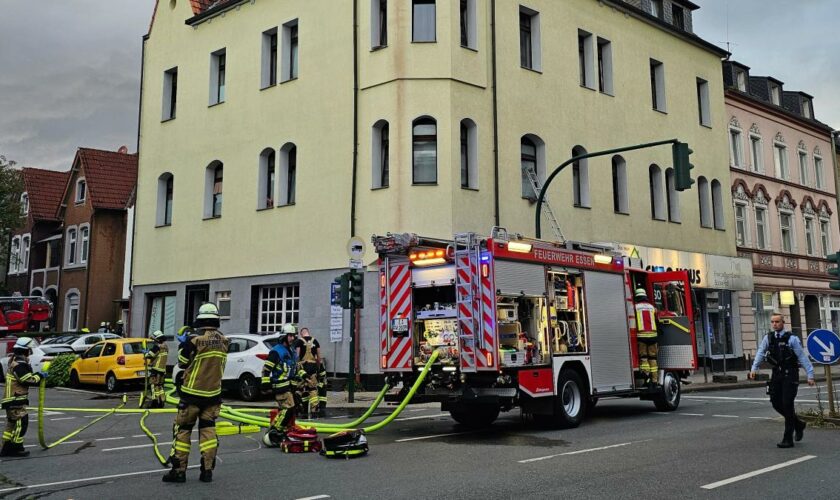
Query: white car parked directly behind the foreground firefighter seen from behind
x=243 y=370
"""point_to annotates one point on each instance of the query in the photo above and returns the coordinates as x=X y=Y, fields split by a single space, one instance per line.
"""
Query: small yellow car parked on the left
x=110 y=362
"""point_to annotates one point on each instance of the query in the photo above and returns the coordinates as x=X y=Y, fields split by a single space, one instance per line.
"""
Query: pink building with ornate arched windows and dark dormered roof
x=785 y=205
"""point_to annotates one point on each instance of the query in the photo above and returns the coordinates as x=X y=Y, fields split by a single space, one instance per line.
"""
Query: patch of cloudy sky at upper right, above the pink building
x=794 y=42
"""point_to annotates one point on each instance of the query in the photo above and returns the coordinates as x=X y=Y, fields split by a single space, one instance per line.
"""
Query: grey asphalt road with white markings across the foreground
x=625 y=449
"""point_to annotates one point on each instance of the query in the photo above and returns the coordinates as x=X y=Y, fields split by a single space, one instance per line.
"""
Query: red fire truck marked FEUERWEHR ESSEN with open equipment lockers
x=546 y=327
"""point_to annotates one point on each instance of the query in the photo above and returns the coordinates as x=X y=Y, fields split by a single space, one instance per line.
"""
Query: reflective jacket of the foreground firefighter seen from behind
x=203 y=358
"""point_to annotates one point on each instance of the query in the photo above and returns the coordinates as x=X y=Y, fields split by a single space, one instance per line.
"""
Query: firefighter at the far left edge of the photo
x=16 y=397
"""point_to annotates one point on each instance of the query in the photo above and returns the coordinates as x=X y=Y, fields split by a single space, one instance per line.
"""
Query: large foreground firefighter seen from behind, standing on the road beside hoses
x=203 y=358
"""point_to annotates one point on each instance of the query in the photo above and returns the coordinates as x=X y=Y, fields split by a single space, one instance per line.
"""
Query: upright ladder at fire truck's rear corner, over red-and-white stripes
x=467 y=289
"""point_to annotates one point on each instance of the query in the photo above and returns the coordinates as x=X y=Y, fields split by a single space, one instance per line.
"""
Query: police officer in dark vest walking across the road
x=785 y=354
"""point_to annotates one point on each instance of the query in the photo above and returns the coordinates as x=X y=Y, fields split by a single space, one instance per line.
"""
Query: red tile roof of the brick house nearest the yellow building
x=110 y=176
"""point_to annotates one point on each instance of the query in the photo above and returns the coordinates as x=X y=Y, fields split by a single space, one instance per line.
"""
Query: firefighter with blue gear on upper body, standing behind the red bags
x=279 y=370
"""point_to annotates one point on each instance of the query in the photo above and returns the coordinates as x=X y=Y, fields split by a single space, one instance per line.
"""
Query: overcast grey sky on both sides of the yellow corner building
x=70 y=69
